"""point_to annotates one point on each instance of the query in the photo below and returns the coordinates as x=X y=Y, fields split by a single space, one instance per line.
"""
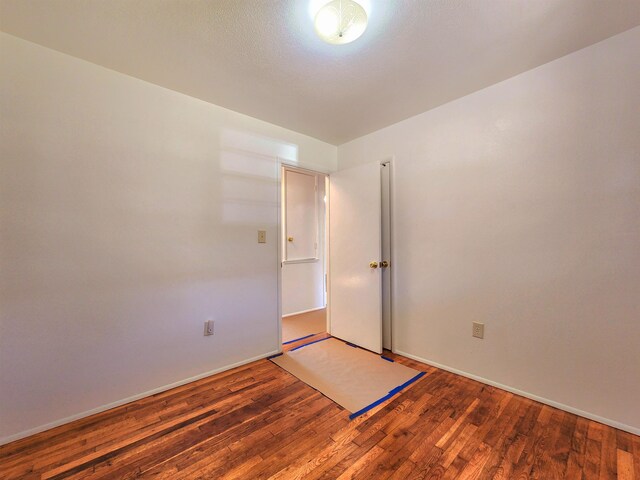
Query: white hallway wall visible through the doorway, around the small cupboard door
x=303 y=285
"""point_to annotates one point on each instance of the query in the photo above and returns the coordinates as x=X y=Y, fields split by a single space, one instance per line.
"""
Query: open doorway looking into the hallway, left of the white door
x=304 y=255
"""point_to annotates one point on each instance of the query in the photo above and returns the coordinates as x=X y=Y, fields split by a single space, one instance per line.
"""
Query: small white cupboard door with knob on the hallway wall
x=301 y=217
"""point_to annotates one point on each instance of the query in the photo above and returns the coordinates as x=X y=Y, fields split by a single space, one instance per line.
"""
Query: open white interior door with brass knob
x=355 y=242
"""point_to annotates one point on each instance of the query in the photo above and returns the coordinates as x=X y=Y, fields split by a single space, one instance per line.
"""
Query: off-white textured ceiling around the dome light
x=261 y=57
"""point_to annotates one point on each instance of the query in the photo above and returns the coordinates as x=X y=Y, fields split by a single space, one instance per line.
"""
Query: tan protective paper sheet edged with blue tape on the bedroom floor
x=350 y=376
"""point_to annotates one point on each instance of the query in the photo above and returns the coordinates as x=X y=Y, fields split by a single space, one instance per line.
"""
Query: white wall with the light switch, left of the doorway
x=128 y=216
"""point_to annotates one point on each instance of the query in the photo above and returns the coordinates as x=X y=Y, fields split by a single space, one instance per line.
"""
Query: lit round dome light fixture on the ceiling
x=340 y=21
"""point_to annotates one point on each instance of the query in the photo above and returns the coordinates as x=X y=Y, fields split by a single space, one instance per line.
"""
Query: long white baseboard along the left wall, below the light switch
x=62 y=421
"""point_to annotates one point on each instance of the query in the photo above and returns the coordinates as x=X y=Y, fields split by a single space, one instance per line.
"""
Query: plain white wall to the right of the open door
x=519 y=206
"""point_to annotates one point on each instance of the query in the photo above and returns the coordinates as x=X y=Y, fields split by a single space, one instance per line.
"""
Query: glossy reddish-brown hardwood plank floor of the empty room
x=257 y=421
